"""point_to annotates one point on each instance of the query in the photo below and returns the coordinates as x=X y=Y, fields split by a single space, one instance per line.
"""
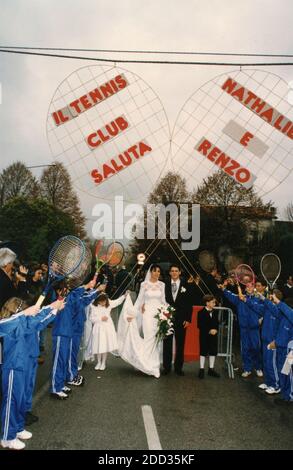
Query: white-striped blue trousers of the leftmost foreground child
x=13 y=403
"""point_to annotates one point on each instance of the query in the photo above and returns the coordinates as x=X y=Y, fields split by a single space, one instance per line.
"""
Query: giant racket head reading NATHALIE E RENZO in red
x=240 y=123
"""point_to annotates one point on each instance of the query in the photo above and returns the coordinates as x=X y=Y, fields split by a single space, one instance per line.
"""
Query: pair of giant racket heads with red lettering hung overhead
x=111 y=131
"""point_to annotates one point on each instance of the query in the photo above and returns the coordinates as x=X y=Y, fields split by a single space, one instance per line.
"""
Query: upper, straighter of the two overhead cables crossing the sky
x=121 y=51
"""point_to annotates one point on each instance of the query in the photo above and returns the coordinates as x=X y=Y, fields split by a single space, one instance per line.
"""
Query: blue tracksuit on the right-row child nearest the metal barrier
x=248 y=321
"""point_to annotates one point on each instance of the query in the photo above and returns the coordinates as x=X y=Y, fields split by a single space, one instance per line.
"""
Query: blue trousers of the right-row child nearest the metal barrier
x=250 y=349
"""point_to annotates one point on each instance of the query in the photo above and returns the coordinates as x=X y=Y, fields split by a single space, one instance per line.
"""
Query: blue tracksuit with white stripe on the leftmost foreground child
x=16 y=359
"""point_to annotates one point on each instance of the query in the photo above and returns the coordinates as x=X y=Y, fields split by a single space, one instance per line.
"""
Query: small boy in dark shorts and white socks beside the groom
x=208 y=324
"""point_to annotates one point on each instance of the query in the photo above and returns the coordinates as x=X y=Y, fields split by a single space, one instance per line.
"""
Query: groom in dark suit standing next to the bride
x=178 y=295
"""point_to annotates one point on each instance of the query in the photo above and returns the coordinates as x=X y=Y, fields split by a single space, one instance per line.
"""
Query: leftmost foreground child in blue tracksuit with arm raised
x=15 y=327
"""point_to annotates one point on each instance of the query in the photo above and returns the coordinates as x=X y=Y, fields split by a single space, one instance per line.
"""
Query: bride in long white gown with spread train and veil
x=142 y=353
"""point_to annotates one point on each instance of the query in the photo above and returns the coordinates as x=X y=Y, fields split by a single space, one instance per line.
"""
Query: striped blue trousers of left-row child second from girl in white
x=61 y=345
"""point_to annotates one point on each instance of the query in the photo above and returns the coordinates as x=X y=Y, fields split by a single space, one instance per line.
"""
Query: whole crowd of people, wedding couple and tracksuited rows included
x=265 y=323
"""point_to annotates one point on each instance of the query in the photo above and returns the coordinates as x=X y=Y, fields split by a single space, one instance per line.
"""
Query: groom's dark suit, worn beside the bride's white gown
x=183 y=307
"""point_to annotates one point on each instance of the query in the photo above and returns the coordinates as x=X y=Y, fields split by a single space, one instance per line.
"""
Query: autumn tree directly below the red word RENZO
x=230 y=213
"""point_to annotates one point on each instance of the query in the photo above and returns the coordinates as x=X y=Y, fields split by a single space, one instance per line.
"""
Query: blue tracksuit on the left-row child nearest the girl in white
x=82 y=299
